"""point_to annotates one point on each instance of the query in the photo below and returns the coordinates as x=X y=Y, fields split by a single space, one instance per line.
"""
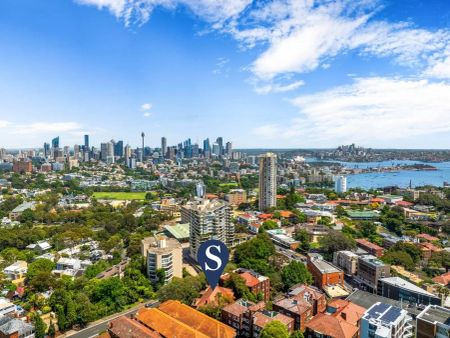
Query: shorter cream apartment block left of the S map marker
x=162 y=253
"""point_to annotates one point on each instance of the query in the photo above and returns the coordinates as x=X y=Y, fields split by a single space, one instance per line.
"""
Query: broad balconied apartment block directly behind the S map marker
x=208 y=219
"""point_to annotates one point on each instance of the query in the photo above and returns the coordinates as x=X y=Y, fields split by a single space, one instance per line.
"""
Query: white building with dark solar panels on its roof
x=386 y=321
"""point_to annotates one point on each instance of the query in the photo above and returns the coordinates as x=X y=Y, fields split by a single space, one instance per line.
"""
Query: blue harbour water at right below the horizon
x=401 y=178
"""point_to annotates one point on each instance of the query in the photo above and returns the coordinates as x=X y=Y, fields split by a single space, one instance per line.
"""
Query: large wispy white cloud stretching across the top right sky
x=298 y=36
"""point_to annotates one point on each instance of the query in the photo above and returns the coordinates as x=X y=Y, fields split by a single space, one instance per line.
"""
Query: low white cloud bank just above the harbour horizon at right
x=370 y=111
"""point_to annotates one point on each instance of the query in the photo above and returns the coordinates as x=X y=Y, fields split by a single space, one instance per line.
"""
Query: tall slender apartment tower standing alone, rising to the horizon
x=267 y=181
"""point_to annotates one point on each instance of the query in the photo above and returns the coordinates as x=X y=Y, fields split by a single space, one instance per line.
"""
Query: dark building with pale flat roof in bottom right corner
x=433 y=322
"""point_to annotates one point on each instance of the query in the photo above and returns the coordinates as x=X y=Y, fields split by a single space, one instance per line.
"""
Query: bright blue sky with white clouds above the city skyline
x=280 y=73
